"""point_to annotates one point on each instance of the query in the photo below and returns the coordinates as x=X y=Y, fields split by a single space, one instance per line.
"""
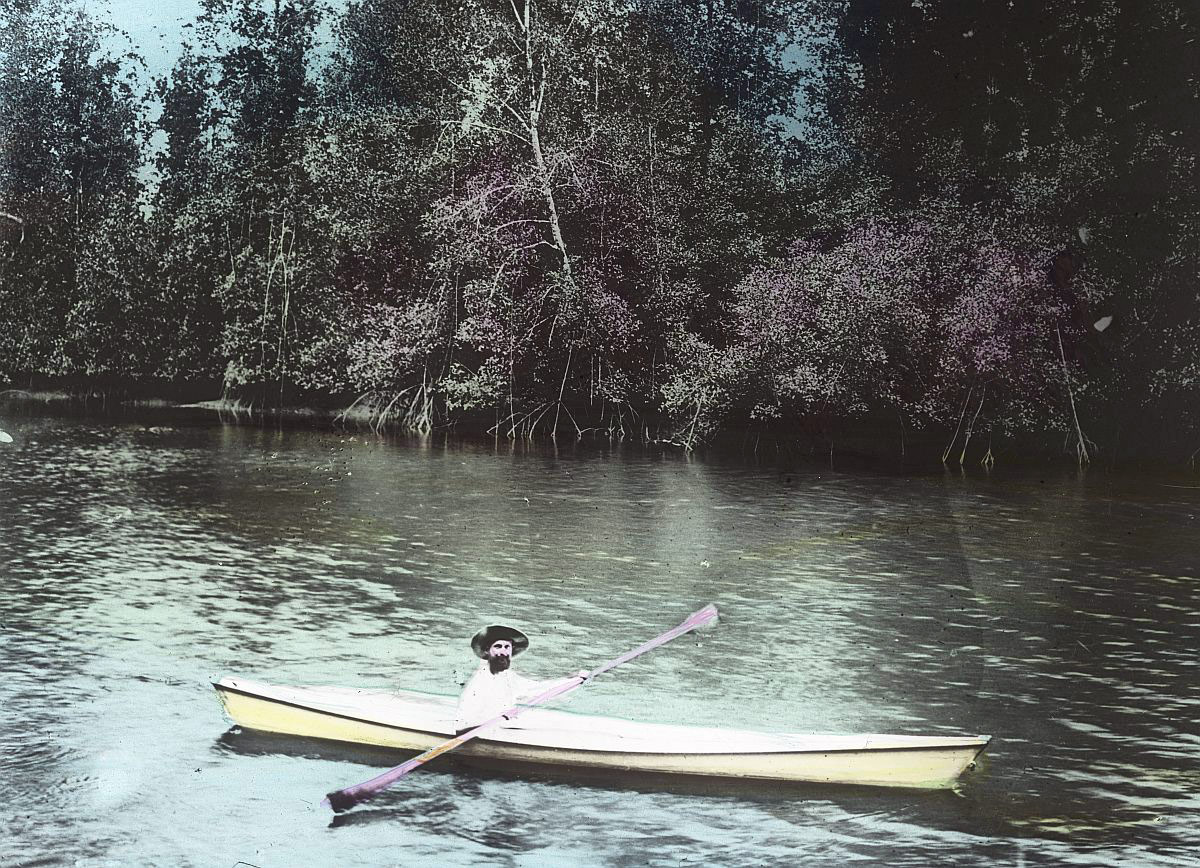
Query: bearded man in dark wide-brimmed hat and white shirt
x=496 y=687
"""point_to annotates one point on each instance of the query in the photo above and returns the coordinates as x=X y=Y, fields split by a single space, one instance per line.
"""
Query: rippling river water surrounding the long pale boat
x=1058 y=612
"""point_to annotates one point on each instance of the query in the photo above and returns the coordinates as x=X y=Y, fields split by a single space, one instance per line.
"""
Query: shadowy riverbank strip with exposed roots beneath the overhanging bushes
x=827 y=441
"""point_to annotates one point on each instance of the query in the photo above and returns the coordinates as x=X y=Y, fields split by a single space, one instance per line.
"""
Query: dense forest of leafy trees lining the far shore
x=969 y=226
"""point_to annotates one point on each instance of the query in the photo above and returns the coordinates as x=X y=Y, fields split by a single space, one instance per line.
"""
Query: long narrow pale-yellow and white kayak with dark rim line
x=416 y=722
